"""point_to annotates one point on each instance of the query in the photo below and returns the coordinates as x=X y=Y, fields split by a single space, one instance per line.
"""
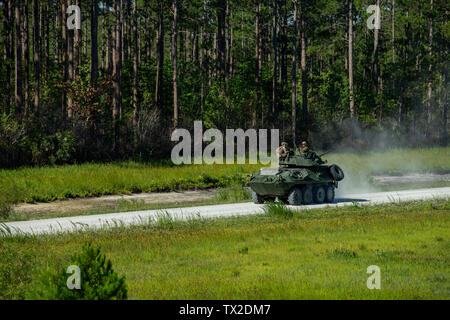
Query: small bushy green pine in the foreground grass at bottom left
x=98 y=279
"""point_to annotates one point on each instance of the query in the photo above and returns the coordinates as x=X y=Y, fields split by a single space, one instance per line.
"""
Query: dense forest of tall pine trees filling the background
x=117 y=87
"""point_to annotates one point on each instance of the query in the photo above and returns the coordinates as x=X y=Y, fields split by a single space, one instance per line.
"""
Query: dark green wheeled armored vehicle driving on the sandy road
x=297 y=180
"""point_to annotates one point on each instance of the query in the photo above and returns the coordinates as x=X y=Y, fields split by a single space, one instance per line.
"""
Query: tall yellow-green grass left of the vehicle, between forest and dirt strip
x=63 y=182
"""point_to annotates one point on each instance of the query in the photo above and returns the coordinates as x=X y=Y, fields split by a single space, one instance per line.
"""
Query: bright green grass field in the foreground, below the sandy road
x=316 y=254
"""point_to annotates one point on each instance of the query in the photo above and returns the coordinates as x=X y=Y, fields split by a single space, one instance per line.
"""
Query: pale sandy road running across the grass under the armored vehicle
x=134 y=218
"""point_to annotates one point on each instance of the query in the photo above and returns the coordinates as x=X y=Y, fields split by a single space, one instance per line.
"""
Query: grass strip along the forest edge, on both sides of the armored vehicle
x=71 y=181
